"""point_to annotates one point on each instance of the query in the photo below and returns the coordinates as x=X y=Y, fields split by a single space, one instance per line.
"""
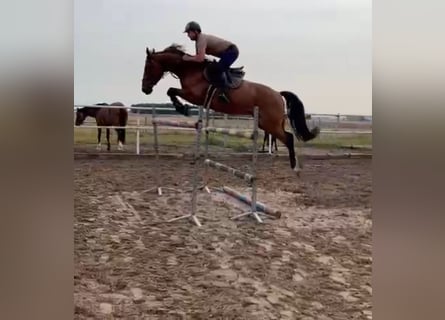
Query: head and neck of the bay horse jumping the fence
x=157 y=63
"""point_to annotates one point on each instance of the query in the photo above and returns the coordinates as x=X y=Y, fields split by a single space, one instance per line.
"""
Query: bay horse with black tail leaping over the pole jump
x=244 y=95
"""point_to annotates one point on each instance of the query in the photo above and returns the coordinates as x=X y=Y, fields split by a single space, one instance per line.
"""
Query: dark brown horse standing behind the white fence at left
x=106 y=117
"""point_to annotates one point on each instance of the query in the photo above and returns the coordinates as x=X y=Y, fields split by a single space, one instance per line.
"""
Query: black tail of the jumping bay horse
x=297 y=118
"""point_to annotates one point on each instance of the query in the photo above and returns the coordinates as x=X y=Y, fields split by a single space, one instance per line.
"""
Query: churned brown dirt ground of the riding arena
x=312 y=263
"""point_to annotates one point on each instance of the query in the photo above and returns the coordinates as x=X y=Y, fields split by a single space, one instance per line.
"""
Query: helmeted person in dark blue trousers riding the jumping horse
x=215 y=46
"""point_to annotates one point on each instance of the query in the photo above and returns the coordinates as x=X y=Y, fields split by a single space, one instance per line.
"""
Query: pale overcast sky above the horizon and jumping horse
x=319 y=49
